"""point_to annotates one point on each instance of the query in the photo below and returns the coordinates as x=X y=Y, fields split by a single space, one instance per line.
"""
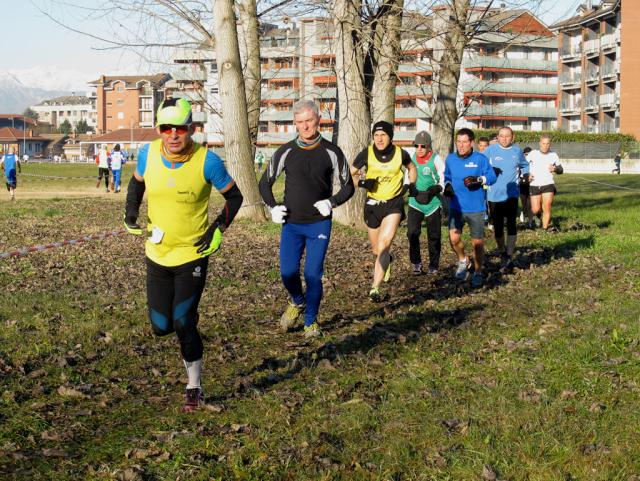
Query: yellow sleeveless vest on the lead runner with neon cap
x=178 y=203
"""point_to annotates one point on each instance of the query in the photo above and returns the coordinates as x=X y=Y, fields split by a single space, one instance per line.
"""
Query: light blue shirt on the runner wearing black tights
x=508 y=160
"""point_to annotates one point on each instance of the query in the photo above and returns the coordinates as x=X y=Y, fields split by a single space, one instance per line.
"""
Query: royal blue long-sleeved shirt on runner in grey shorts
x=456 y=168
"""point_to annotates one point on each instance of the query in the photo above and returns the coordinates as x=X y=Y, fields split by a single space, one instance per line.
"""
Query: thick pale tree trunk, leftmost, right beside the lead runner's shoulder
x=237 y=141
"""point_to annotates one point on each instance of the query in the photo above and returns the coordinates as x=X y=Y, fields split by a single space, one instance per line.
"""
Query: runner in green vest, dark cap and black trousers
x=427 y=181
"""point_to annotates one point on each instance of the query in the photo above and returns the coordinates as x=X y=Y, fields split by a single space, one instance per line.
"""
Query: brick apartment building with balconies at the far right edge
x=598 y=70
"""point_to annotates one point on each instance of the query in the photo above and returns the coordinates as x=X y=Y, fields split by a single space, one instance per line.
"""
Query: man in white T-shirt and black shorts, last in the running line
x=544 y=163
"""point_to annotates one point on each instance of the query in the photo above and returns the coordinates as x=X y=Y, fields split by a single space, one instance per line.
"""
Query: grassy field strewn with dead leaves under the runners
x=534 y=377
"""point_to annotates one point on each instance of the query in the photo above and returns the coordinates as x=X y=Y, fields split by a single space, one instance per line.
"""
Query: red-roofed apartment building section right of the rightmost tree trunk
x=509 y=73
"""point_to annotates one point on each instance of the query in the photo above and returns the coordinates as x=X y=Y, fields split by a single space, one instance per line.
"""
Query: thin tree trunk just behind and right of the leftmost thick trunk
x=252 y=74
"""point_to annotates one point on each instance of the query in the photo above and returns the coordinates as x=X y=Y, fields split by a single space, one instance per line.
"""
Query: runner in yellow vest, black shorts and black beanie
x=386 y=179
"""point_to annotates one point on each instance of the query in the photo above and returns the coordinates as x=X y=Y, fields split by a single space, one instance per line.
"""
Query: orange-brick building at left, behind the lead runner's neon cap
x=128 y=101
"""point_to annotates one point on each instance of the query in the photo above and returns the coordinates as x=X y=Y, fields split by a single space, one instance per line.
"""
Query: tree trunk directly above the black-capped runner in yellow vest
x=386 y=51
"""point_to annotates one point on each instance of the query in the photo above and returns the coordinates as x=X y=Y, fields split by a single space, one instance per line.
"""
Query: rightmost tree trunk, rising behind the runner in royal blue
x=453 y=45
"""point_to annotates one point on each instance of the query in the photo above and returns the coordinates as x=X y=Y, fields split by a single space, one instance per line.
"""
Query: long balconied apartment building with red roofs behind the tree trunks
x=505 y=80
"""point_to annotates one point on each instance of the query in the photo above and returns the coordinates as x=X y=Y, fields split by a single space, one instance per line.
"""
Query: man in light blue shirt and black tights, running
x=507 y=161
